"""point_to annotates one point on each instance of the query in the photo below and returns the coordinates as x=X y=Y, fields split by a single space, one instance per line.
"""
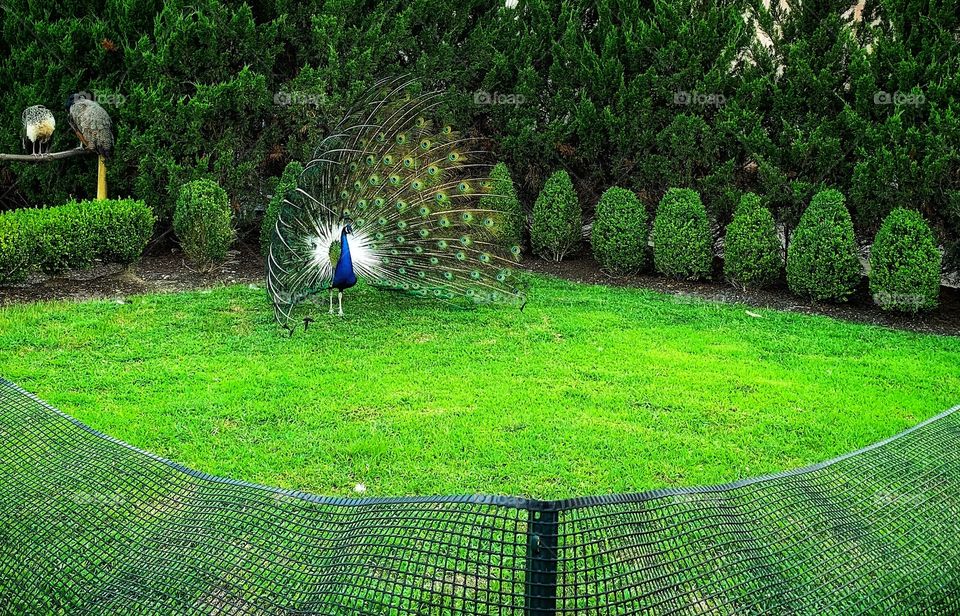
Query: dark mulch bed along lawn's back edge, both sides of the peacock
x=164 y=269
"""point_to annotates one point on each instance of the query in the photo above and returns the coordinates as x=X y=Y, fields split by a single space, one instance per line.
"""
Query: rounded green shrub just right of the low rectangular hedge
x=201 y=221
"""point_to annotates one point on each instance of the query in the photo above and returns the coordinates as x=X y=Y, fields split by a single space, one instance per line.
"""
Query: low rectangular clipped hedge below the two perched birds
x=71 y=236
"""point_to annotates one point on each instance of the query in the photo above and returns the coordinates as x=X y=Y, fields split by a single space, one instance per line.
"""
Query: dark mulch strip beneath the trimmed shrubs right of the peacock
x=860 y=308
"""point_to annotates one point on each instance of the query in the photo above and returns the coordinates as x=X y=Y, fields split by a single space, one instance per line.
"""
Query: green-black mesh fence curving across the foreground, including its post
x=91 y=525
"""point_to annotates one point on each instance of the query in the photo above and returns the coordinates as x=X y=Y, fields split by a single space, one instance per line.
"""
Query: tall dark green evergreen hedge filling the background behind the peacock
x=679 y=94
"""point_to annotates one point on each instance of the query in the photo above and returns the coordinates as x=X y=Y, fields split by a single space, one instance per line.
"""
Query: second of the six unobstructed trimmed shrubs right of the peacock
x=619 y=235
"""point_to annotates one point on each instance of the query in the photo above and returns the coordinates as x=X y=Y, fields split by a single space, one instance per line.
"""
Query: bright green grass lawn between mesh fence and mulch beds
x=589 y=390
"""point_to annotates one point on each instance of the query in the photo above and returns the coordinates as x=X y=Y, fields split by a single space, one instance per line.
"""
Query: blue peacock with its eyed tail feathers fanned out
x=395 y=200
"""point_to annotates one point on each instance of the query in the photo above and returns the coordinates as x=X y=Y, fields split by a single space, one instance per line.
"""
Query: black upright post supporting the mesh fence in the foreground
x=541 y=569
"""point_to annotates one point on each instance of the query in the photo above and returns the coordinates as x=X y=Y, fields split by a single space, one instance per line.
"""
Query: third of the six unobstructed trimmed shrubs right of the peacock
x=682 y=247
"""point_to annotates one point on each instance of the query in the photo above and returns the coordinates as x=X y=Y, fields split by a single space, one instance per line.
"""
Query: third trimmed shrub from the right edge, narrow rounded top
x=753 y=255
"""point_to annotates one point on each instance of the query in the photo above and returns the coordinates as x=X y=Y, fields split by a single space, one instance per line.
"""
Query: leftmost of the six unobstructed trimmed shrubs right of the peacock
x=557 y=220
